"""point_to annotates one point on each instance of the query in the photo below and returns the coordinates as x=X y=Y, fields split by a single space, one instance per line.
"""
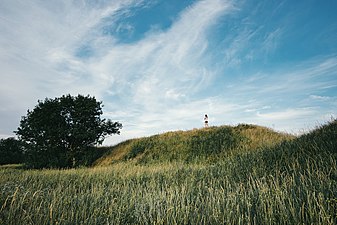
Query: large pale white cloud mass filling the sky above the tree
x=37 y=42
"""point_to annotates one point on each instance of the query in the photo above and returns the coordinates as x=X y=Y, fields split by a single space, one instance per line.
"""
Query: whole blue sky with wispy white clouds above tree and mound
x=160 y=65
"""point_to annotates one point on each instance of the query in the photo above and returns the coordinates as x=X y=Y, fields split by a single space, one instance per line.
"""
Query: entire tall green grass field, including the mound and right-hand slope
x=249 y=175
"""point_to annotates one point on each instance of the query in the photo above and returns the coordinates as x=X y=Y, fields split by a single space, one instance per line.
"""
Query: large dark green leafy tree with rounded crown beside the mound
x=58 y=132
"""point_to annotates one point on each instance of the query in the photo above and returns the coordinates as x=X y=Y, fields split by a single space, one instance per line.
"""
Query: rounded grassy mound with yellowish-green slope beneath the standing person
x=205 y=145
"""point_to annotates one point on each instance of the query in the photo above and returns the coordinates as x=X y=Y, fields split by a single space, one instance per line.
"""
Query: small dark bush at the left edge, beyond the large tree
x=11 y=151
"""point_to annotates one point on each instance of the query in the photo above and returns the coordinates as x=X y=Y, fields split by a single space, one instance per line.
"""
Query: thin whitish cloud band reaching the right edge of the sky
x=306 y=78
